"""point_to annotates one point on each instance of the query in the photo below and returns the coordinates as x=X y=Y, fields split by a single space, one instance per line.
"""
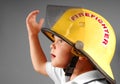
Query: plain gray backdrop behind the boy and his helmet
x=15 y=62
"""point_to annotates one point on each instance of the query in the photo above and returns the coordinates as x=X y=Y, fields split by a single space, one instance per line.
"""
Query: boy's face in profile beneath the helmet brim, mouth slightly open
x=60 y=53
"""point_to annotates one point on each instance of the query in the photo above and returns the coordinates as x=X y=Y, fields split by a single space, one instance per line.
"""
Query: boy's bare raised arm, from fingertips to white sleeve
x=37 y=55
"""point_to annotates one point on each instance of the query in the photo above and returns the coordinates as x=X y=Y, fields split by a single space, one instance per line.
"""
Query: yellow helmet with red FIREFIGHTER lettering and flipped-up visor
x=94 y=32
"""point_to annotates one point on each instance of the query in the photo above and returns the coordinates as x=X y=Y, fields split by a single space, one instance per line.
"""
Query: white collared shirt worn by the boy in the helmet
x=58 y=76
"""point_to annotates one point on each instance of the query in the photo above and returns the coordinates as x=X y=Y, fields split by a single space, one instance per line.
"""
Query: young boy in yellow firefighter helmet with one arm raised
x=71 y=63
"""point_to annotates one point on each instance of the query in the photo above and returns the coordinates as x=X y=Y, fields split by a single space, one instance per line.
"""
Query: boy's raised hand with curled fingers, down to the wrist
x=33 y=26
